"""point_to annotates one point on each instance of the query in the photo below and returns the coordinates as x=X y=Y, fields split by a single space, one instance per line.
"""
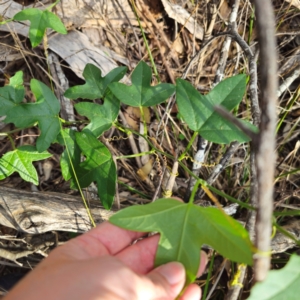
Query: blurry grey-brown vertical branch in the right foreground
x=265 y=150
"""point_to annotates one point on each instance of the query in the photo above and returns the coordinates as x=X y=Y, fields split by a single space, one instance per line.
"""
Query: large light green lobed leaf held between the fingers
x=183 y=229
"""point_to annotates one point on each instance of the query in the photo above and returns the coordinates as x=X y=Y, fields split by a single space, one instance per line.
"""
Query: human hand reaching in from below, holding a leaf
x=104 y=264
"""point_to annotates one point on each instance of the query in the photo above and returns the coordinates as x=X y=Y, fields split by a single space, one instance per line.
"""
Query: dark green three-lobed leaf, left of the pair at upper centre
x=95 y=86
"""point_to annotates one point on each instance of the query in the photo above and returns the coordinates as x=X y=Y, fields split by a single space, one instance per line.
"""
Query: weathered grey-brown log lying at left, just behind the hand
x=38 y=212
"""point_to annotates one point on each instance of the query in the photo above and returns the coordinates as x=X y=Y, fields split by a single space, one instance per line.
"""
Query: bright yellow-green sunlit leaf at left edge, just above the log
x=20 y=160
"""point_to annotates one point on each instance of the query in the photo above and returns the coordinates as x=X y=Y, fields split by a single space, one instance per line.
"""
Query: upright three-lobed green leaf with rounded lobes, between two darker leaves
x=140 y=93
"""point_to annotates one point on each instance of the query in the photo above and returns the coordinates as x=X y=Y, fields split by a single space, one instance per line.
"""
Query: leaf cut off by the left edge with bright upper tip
x=12 y=94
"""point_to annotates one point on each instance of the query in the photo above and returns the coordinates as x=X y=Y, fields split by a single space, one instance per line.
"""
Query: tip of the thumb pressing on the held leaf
x=168 y=280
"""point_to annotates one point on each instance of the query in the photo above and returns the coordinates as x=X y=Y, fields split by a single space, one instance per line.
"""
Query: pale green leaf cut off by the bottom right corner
x=280 y=284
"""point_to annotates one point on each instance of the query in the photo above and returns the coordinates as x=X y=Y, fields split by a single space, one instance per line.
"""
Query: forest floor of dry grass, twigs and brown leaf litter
x=107 y=34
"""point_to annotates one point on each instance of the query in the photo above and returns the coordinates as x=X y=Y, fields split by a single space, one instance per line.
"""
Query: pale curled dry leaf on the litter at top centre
x=180 y=15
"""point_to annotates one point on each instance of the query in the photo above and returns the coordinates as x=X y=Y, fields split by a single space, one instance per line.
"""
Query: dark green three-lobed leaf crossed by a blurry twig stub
x=198 y=110
